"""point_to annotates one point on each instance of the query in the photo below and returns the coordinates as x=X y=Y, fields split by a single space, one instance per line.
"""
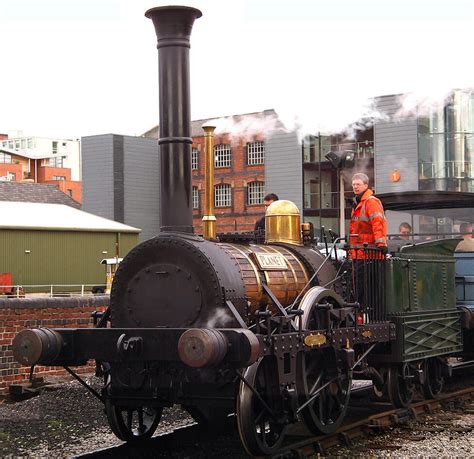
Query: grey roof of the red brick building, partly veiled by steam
x=234 y=124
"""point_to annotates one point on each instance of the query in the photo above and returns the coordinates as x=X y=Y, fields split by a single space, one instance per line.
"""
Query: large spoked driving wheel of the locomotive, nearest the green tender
x=322 y=383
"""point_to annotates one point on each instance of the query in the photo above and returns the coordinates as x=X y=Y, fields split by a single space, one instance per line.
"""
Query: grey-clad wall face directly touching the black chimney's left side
x=141 y=174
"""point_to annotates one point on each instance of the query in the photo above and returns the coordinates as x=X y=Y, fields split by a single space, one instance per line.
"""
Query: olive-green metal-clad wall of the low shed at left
x=58 y=257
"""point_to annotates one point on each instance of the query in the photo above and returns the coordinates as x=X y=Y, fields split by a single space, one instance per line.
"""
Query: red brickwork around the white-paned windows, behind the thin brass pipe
x=240 y=216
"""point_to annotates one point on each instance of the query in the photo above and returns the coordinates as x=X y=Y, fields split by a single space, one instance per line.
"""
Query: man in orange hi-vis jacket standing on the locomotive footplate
x=368 y=238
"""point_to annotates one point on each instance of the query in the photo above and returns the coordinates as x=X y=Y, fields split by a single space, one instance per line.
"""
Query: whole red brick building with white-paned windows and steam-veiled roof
x=239 y=169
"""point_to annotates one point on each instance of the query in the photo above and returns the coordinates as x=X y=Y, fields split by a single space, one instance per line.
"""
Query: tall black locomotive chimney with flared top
x=173 y=25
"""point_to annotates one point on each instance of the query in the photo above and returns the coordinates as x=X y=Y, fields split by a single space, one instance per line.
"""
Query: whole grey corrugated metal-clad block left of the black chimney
x=121 y=180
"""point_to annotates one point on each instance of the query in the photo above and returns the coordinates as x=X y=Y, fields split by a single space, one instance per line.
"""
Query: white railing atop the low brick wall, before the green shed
x=47 y=290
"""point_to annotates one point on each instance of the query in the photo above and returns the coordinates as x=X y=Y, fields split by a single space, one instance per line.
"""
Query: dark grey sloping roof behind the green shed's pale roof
x=35 y=192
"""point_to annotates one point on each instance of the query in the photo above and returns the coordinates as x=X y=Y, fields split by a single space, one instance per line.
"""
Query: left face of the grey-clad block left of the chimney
x=98 y=175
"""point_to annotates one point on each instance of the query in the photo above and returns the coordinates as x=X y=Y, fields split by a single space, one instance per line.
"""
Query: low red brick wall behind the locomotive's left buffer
x=15 y=319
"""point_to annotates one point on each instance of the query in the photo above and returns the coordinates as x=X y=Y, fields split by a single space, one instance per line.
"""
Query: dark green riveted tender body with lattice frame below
x=421 y=301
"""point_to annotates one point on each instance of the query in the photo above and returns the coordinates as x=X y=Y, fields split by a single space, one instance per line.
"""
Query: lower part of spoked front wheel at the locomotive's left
x=132 y=424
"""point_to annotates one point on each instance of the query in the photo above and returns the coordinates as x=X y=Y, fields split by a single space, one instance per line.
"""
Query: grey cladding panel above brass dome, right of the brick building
x=284 y=167
